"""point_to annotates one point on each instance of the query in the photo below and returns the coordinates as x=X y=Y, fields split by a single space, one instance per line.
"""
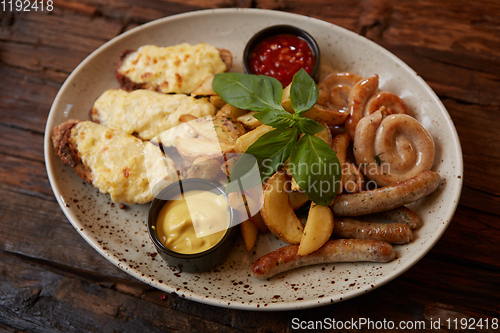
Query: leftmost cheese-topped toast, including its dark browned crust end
x=112 y=160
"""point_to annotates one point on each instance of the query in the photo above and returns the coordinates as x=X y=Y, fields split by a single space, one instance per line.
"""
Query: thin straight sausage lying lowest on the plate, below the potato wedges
x=337 y=250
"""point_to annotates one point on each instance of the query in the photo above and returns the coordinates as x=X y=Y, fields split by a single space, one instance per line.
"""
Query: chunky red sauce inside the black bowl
x=282 y=56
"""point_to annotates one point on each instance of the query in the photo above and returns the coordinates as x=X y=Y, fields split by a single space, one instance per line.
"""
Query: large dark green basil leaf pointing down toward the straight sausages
x=316 y=169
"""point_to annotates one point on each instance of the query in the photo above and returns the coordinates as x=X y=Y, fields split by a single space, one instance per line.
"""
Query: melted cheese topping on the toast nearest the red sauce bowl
x=179 y=69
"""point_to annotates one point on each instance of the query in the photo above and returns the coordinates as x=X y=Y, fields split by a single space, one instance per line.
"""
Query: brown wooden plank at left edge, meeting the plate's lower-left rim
x=41 y=231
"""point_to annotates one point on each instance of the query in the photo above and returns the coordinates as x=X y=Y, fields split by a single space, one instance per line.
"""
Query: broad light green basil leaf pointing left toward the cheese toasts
x=248 y=91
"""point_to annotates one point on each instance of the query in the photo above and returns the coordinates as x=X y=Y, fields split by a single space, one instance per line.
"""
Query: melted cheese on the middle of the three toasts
x=147 y=113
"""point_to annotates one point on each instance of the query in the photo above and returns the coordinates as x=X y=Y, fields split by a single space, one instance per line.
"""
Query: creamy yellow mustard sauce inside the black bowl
x=193 y=222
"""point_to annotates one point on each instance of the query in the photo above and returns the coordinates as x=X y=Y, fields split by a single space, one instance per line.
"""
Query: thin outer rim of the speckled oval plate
x=48 y=152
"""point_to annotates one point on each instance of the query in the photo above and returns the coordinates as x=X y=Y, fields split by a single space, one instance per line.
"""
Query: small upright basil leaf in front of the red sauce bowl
x=303 y=92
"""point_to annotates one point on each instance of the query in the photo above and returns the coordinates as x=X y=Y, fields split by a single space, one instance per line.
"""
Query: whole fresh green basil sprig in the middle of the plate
x=313 y=164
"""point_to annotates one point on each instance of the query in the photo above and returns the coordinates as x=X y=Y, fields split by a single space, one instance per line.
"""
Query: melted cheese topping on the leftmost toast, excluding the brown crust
x=116 y=161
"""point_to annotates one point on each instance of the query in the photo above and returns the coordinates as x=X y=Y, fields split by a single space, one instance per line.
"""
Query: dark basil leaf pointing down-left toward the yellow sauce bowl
x=271 y=150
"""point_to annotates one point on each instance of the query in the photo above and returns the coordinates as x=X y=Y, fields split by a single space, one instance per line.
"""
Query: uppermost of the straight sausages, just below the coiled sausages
x=388 y=197
